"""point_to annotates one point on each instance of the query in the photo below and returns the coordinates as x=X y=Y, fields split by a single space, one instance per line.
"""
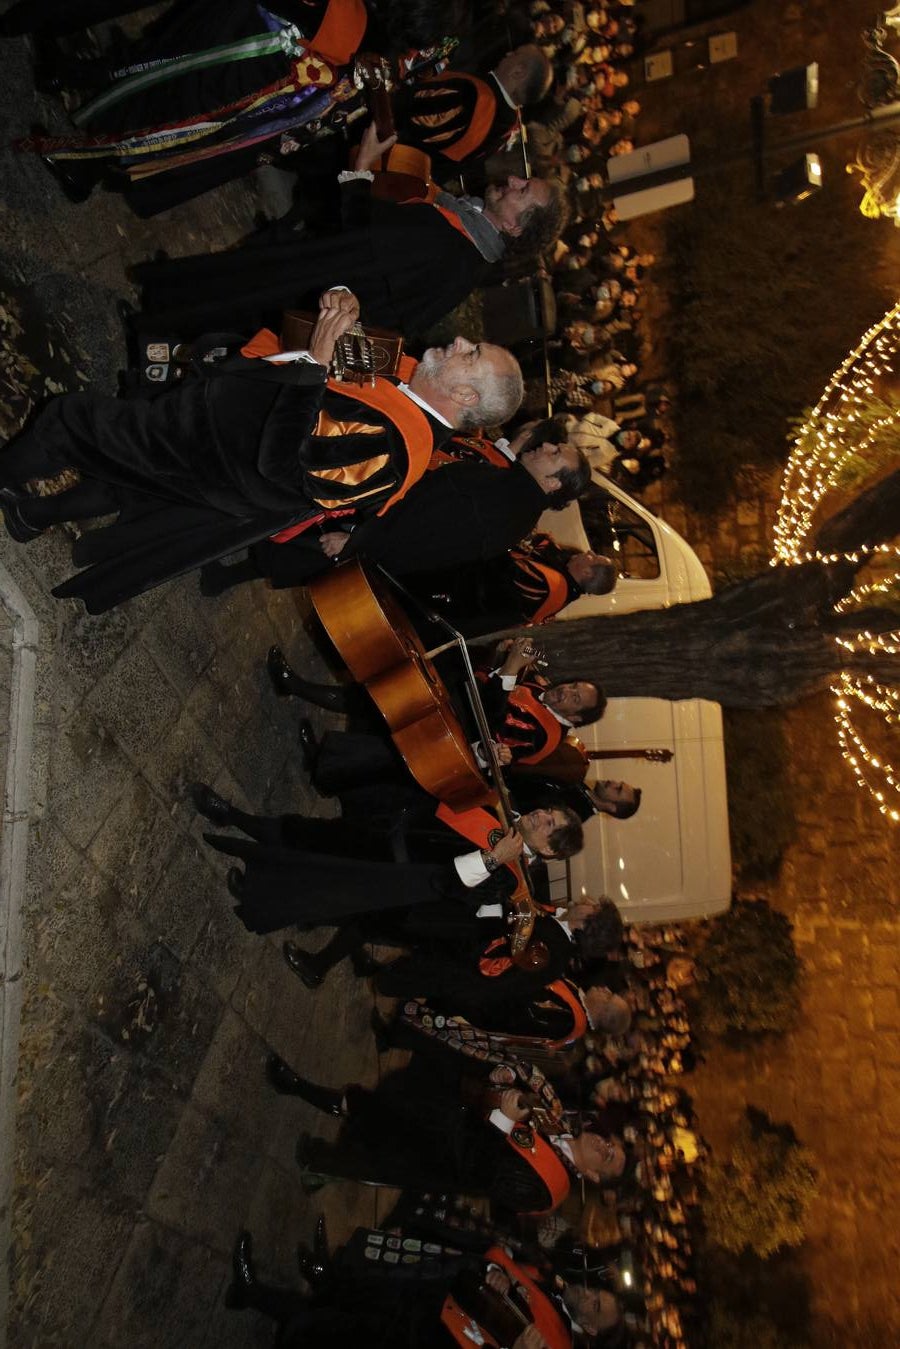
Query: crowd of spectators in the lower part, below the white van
x=642 y=1239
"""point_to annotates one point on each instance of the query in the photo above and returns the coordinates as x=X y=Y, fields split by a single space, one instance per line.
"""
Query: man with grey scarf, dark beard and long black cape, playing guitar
x=408 y=262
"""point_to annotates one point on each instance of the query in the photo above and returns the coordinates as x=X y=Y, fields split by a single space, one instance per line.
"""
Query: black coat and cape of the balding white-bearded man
x=208 y=469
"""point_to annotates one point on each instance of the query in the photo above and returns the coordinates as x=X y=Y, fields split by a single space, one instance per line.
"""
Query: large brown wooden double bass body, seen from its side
x=383 y=652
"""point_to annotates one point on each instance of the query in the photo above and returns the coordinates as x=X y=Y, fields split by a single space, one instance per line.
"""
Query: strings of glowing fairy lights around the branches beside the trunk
x=845 y=430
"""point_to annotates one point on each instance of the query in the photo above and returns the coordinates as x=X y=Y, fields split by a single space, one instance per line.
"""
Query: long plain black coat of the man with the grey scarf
x=407 y=265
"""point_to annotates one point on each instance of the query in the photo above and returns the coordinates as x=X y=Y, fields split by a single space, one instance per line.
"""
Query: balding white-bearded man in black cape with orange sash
x=250 y=450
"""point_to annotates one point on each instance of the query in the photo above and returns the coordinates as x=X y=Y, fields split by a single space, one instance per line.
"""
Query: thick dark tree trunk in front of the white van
x=762 y=643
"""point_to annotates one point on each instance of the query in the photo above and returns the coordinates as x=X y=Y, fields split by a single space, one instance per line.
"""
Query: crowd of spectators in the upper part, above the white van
x=598 y=277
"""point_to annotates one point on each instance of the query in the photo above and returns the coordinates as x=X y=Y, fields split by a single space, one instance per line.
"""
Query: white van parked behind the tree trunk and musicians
x=673 y=860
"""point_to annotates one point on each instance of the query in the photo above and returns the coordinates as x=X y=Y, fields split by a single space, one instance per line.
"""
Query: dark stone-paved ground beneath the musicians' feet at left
x=145 y=1135
